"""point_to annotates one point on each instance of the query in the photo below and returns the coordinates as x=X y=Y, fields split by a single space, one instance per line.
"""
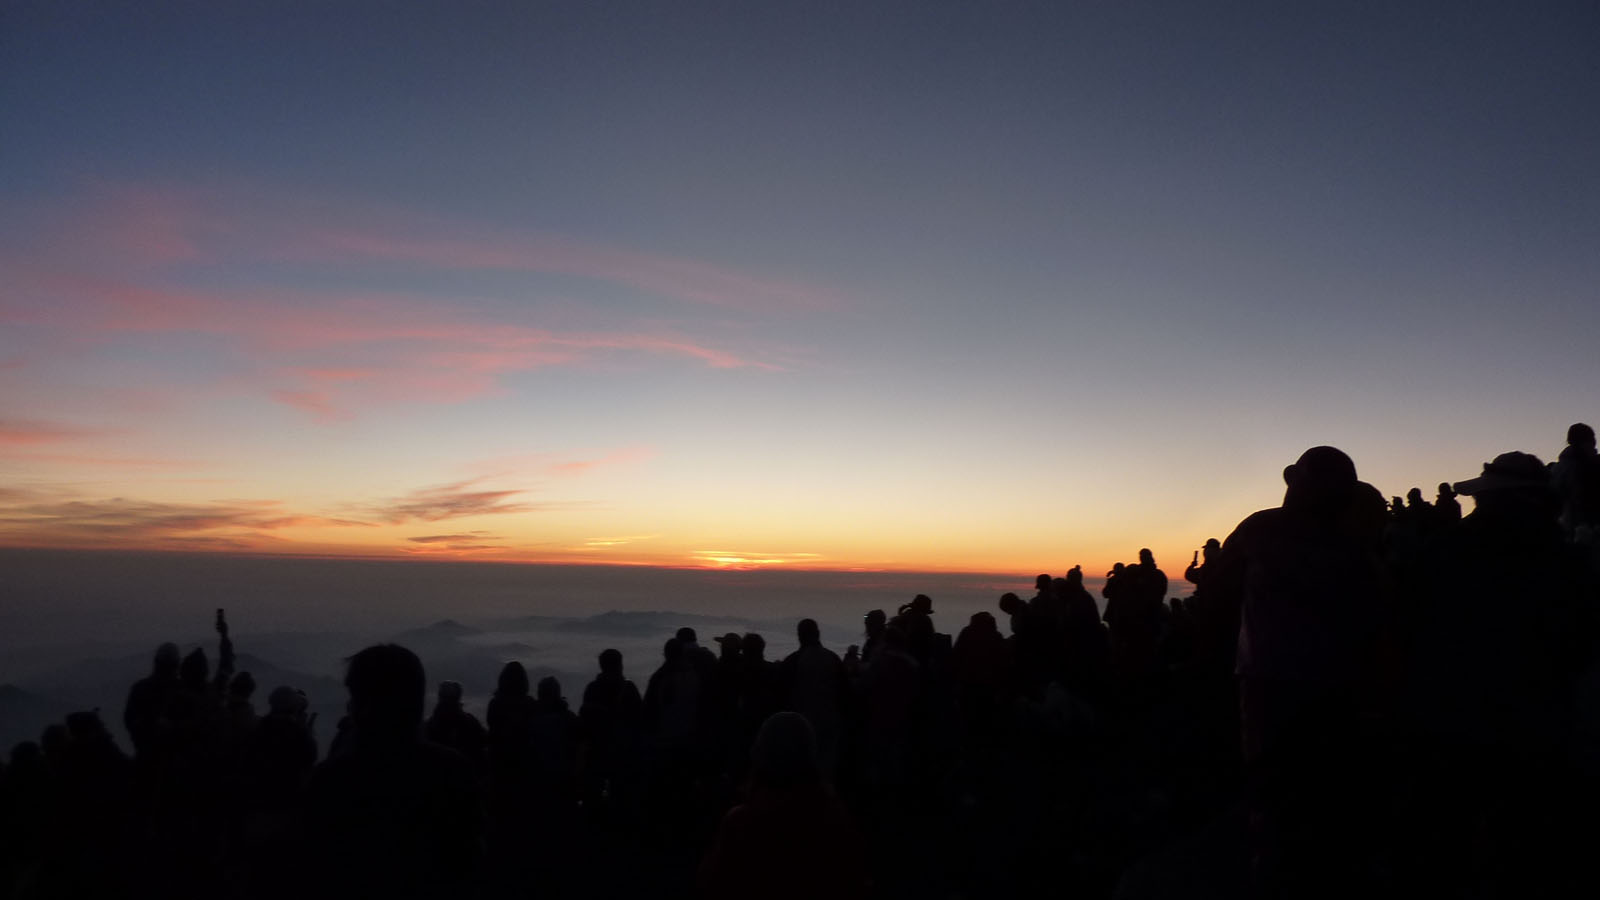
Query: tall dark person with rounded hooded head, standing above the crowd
x=1311 y=592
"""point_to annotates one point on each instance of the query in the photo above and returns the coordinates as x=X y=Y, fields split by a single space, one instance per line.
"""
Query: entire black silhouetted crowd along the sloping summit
x=1359 y=696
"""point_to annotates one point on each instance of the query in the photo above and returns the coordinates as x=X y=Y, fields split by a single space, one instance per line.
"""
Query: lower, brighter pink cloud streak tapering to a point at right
x=334 y=353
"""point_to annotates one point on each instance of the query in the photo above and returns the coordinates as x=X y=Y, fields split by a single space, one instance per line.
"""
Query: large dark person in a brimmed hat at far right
x=1506 y=589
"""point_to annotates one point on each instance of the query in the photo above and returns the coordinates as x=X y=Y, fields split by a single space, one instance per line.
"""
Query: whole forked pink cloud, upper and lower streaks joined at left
x=108 y=270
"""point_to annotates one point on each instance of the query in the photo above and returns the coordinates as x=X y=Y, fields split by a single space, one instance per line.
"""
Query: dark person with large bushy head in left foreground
x=394 y=816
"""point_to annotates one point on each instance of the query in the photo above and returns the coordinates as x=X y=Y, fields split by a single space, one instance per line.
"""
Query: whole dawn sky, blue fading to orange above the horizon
x=946 y=287
